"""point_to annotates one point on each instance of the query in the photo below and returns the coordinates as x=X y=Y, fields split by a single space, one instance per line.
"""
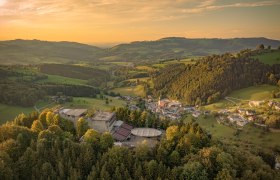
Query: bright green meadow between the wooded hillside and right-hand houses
x=262 y=92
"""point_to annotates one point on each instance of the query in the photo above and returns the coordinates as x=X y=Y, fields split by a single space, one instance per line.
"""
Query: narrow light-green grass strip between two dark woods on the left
x=63 y=80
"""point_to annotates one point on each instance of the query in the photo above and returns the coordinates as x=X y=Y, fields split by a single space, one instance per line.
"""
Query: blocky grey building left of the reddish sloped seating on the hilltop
x=102 y=121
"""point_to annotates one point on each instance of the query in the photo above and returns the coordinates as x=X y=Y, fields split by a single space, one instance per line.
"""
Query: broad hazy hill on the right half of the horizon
x=177 y=47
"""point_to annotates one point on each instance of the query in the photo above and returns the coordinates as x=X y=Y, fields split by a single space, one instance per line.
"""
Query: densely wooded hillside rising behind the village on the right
x=212 y=77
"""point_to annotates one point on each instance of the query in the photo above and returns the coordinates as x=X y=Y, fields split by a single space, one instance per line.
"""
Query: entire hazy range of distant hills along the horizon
x=36 y=51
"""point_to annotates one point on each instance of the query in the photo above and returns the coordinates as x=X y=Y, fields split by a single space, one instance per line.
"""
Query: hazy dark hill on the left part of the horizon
x=35 y=51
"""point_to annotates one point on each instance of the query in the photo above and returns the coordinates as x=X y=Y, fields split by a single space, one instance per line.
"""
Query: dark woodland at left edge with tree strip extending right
x=19 y=86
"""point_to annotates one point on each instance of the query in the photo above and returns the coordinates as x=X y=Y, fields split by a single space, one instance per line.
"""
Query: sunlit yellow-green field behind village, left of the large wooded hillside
x=131 y=91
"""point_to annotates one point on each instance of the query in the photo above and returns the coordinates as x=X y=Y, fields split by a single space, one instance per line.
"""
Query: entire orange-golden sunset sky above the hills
x=104 y=21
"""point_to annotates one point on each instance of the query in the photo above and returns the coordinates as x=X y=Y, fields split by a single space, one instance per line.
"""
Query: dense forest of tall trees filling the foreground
x=45 y=146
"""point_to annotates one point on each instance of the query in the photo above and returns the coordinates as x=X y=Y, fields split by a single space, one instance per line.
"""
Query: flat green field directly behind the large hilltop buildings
x=94 y=103
